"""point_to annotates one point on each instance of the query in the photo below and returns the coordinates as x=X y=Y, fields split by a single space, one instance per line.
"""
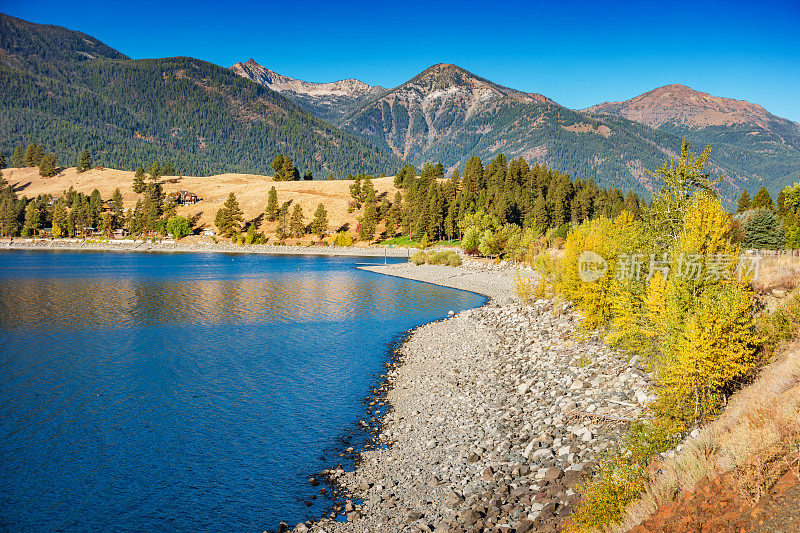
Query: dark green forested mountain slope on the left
x=69 y=91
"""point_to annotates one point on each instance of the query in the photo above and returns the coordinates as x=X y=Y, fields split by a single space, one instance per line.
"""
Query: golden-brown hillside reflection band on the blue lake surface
x=67 y=304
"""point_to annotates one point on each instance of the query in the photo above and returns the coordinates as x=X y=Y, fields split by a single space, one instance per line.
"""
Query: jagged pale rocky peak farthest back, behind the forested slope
x=330 y=101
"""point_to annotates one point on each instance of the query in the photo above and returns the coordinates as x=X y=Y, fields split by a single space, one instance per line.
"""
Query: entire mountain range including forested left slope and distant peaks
x=67 y=90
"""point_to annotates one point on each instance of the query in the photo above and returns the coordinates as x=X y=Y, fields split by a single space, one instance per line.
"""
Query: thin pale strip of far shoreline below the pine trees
x=141 y=246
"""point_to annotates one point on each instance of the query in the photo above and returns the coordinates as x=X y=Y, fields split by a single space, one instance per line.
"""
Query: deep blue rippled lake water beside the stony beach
x=153 y=392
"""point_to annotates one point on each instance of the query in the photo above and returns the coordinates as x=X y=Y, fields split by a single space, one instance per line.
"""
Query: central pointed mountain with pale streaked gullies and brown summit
x=447 y=114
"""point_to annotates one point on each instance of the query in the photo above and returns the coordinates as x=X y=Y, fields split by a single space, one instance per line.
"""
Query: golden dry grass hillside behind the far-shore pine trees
x=250 y=190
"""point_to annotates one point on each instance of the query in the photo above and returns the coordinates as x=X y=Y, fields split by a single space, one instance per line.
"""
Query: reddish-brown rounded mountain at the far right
x=747 y=141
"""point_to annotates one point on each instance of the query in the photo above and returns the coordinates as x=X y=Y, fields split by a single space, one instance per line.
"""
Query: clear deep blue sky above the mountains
x=577 y=53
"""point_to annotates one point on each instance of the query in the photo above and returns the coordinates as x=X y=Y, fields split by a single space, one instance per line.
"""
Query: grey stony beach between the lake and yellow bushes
x=489 y=419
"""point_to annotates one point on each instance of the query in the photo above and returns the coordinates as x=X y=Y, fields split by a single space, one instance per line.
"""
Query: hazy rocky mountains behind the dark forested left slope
x=447 y=114
